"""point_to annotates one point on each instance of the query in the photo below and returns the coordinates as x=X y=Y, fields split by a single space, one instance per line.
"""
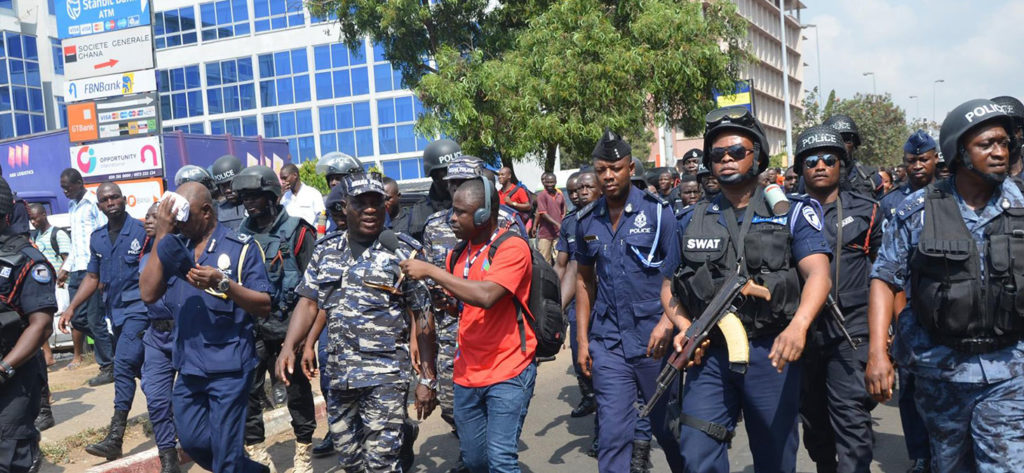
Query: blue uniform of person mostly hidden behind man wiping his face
x=158 y=372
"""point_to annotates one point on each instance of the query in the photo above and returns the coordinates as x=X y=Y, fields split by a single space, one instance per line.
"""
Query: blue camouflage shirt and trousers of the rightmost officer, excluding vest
x=973 y=405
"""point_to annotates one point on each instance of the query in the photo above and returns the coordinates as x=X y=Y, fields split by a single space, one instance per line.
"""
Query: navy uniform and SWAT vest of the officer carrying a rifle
x=715 y=394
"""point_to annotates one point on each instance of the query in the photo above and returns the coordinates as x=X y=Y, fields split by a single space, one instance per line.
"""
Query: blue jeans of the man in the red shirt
x=490 y=421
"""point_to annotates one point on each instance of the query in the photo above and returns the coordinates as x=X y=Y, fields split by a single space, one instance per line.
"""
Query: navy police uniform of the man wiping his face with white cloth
x=215 y=352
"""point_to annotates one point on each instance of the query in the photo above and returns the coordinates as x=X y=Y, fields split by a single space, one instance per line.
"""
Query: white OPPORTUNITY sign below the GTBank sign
x=129 y=159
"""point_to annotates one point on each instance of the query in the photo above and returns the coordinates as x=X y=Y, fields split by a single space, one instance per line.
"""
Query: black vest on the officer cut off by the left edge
x=12 y=257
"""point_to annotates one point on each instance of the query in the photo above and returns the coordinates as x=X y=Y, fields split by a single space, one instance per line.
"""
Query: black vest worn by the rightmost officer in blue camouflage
x=950 y=297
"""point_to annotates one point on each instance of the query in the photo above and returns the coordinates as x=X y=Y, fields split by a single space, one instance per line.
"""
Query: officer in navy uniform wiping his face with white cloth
x=215 y=282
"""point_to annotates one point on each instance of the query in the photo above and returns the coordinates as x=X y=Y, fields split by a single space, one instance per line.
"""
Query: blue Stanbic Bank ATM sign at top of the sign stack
x=81 y=18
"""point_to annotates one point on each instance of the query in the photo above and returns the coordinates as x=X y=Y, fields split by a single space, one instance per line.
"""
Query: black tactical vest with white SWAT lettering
x=709 y=256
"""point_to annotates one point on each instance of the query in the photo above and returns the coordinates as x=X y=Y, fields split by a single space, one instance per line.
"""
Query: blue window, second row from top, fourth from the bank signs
x=340 y=72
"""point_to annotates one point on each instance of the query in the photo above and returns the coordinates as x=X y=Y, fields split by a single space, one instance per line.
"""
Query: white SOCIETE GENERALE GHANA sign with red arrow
x=117 y=52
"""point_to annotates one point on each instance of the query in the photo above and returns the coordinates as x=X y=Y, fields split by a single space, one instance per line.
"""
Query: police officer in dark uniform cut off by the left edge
x=26 y=322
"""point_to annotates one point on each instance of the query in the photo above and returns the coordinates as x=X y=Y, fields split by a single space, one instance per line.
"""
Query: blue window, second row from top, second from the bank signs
x=231 y=87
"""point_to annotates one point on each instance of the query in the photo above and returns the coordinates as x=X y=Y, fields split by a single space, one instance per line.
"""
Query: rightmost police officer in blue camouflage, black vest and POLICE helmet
x=953 y=248
